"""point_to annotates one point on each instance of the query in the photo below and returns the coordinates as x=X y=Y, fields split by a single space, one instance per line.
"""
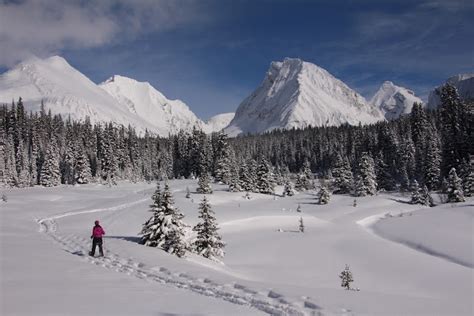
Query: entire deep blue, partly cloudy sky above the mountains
x=212 y=54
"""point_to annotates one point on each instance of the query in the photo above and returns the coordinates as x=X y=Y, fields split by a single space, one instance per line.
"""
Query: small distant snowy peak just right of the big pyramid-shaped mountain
x=393 y=100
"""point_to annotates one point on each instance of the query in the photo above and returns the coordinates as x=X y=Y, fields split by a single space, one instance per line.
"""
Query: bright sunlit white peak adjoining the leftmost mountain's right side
x=141 y=99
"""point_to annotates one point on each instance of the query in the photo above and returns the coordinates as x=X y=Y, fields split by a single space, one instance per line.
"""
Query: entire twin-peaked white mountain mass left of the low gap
x=66 y=91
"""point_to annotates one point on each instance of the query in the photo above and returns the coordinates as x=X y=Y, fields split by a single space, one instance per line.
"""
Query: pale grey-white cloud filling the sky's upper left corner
x=44 y=27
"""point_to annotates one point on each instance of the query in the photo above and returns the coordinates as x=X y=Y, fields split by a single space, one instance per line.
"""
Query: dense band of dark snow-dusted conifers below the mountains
x=45 y=149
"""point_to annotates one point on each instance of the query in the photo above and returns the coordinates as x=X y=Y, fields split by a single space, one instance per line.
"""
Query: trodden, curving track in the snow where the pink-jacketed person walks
x=267 y=301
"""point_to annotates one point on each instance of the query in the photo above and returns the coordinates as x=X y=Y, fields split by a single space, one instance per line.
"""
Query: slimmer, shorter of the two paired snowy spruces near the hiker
x=208 y=243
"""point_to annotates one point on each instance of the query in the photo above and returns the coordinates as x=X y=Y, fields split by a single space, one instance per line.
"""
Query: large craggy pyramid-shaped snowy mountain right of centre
x=298 y=94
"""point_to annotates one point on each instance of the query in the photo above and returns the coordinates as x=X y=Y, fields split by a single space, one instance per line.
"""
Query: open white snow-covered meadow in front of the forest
x=420 y=263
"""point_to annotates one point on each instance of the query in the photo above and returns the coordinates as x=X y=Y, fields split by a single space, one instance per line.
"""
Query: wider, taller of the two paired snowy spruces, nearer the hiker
x=165 y=228
